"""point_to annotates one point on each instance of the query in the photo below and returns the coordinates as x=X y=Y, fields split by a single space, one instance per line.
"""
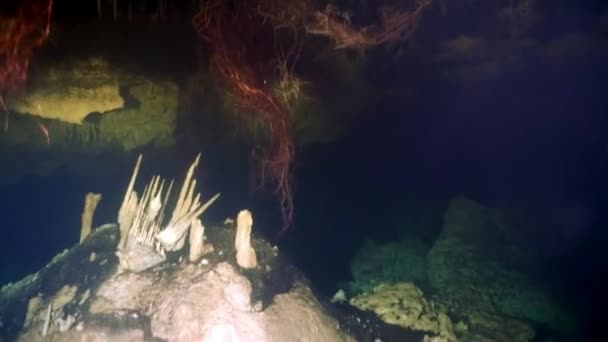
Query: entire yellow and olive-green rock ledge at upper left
x=90 y=104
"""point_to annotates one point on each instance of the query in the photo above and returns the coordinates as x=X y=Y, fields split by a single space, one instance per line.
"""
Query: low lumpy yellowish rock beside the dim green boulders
x=404 y=304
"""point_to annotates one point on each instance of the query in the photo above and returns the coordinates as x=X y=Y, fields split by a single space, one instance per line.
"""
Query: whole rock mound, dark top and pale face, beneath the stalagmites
x=177 y=301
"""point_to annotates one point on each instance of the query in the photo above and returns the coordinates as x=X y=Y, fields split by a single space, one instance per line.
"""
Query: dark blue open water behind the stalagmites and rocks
x=537 y=140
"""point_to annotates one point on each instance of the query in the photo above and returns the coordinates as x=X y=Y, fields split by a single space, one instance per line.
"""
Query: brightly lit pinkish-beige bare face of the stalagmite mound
x=198 y=303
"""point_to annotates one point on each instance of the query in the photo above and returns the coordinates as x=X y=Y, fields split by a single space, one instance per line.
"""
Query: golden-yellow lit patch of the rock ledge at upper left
x=70 y=93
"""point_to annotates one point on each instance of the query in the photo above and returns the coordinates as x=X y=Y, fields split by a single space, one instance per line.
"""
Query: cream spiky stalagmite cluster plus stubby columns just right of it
x=144 y=239
